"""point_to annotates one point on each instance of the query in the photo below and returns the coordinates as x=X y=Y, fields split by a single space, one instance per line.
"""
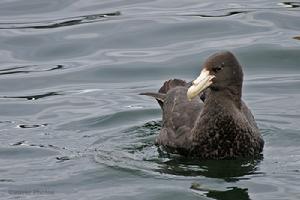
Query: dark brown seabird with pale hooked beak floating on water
x=207 y=118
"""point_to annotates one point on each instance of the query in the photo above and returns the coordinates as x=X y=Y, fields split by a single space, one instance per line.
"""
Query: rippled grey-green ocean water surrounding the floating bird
x=73 y=127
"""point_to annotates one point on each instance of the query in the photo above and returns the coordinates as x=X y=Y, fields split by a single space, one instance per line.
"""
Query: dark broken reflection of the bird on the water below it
x=229 y=170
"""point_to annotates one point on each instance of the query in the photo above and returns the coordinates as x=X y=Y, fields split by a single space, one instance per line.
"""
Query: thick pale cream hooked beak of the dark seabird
x=201 y=83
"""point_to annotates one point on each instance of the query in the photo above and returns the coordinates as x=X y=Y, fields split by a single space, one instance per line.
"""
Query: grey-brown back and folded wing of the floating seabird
x=179 y=117
